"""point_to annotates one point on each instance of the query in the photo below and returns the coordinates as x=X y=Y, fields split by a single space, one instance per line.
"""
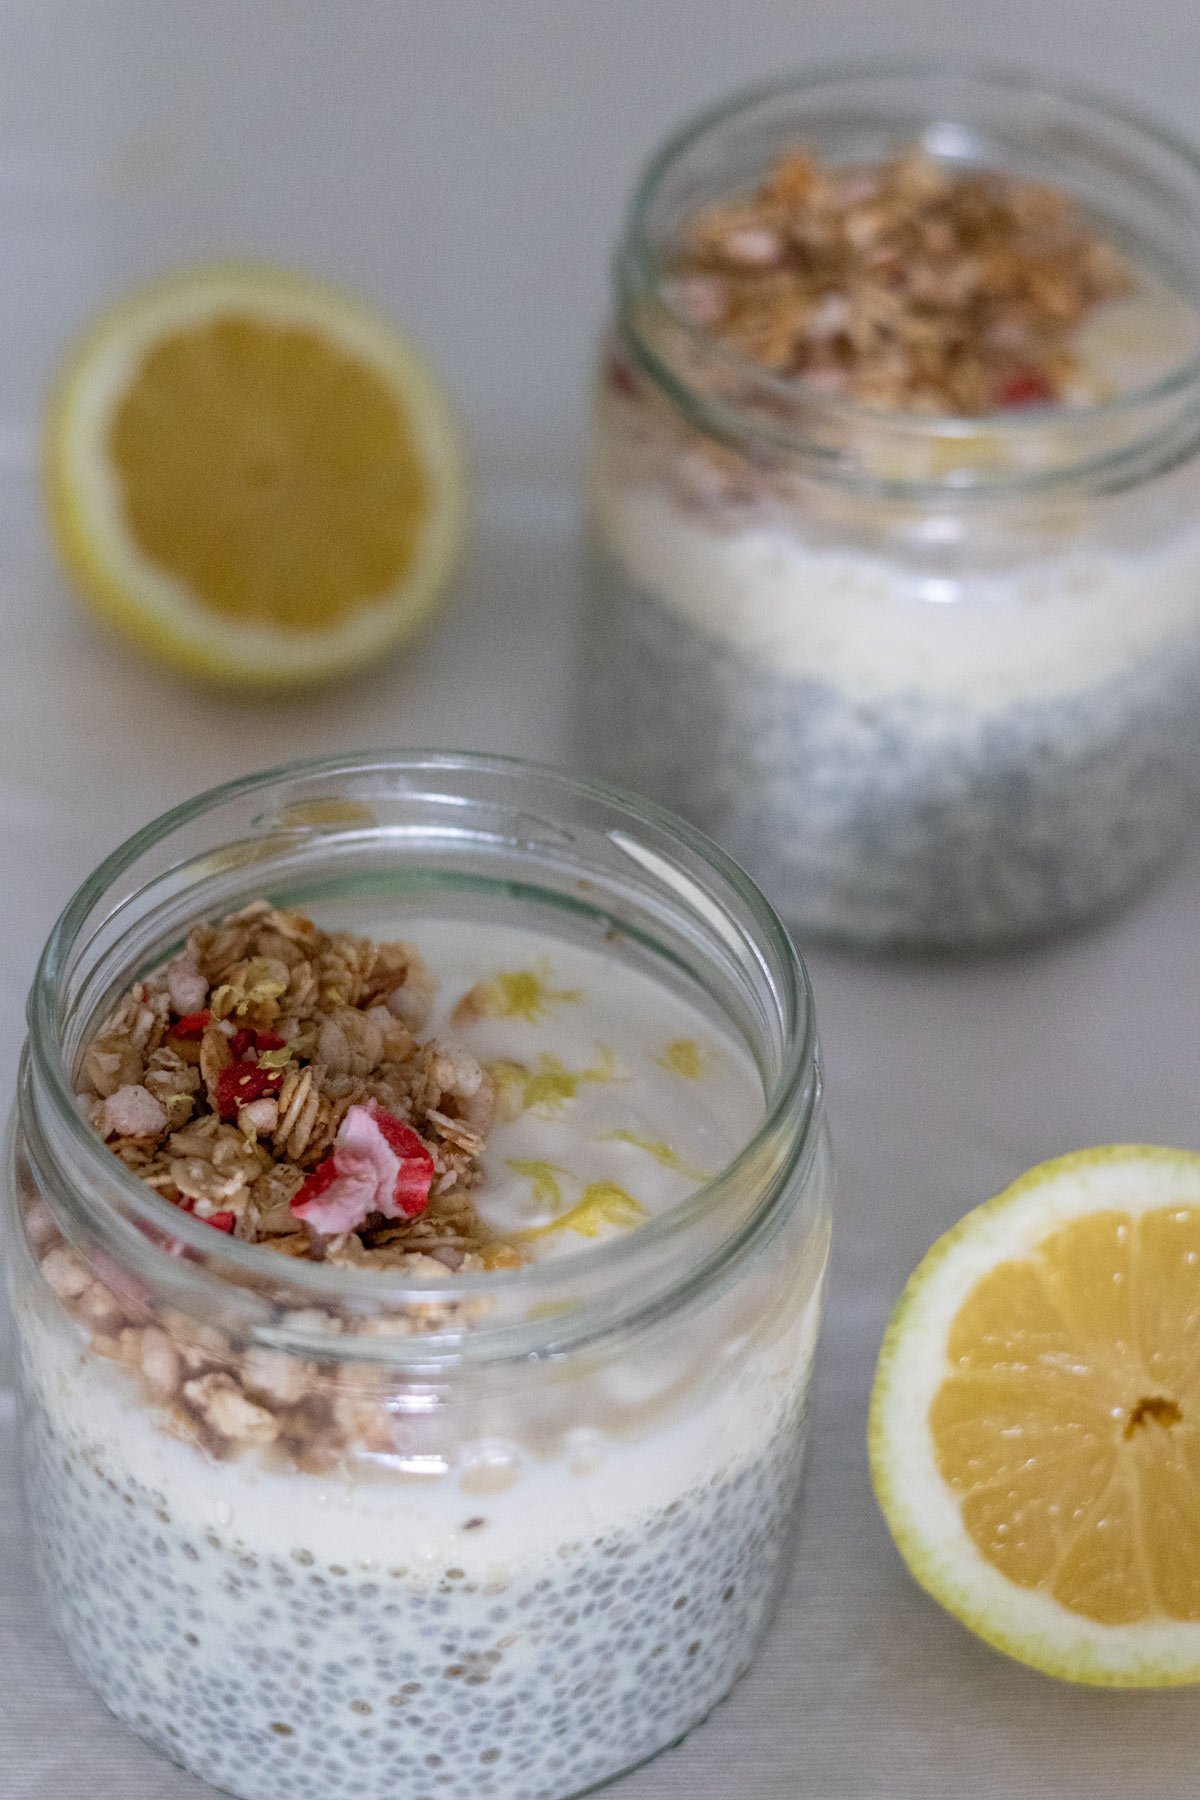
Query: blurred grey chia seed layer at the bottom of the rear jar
x=895 y=820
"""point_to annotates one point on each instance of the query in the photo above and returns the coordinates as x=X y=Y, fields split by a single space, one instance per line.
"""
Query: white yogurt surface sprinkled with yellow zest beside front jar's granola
x=618 y=1095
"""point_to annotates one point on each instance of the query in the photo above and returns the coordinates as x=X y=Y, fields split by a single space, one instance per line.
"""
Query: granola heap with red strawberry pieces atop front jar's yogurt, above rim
x=273 y=1083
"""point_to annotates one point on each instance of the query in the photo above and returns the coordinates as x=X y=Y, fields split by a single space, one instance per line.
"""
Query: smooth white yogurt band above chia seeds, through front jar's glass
x=577 y=1486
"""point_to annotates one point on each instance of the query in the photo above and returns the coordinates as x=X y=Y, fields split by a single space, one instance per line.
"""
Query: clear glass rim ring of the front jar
x=789 y=1106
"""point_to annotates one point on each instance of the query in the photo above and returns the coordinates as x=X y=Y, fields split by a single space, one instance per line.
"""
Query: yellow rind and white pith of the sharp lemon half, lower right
x=920 y=1511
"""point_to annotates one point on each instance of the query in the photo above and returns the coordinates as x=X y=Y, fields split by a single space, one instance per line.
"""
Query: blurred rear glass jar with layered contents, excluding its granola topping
x=931 y=679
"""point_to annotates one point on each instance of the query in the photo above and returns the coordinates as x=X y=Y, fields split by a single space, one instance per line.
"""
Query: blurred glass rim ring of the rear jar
x=640 y=273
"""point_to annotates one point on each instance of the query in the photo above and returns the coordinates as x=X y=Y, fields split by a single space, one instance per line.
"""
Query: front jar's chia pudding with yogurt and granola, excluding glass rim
x=352 y=1549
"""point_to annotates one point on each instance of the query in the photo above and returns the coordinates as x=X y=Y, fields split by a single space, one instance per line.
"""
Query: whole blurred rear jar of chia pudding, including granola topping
x=895 y=510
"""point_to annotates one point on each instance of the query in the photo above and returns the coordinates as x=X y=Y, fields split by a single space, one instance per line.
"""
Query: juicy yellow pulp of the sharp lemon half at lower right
x=1070 y=1426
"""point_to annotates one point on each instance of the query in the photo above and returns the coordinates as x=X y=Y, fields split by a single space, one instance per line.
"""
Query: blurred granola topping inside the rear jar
x=904 y=285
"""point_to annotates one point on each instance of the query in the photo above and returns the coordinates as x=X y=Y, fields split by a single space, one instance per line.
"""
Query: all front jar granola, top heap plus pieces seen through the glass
x=273 y=1083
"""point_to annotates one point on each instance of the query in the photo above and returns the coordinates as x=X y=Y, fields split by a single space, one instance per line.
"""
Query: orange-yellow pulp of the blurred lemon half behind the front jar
x=314 y=490
